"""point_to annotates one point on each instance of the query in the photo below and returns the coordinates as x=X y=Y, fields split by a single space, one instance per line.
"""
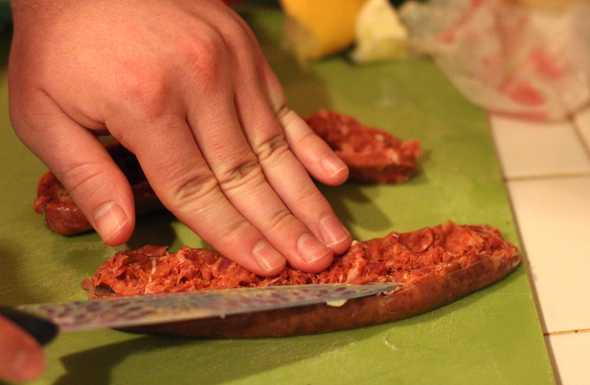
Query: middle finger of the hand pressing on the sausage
x=219 y=135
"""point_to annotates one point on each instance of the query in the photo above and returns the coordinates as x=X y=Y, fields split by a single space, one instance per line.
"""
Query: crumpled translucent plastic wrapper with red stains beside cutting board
x=507 y=57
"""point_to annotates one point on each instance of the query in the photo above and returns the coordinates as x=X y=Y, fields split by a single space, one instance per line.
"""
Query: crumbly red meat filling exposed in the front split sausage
x=402 y=258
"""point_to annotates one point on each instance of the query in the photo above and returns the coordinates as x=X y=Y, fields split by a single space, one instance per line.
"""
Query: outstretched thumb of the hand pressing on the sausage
x=80 y=162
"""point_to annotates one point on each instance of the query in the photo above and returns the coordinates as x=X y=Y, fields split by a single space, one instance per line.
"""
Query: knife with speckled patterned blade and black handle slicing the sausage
x=45 y=321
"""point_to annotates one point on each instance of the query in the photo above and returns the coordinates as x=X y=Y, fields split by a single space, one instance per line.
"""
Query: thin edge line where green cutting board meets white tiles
x=527 y=264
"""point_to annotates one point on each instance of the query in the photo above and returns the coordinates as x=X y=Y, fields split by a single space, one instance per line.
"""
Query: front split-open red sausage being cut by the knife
x=434 y=267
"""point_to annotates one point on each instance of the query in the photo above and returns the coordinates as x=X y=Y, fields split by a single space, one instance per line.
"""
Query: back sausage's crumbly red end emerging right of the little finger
x=373 y=155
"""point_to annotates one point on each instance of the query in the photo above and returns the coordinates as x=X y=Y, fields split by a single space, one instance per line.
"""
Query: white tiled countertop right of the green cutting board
x=547 y=169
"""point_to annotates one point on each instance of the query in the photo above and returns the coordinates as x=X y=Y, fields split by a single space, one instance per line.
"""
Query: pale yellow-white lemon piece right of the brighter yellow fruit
x=380 y=34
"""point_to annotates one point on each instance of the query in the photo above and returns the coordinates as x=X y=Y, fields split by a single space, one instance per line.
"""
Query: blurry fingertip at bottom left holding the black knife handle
x=21 y=358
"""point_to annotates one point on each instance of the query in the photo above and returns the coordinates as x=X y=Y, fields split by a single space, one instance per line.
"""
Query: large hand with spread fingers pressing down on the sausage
x=183 y=84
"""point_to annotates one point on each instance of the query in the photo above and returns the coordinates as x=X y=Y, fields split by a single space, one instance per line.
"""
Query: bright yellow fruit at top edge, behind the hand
x=315 y=28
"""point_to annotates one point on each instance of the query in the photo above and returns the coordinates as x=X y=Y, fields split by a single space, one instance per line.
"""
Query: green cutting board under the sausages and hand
x=491 y=337
